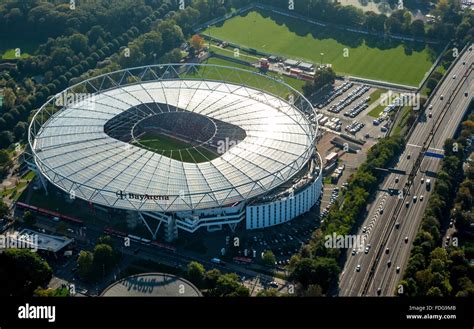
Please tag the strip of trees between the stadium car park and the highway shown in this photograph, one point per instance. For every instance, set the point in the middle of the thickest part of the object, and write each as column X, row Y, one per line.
column 316, row 266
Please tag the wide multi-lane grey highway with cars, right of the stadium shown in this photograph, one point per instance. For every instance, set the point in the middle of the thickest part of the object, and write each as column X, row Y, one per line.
column 397, row 224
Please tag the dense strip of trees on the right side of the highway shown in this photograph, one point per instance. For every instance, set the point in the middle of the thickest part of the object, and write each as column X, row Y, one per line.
column 433, row 270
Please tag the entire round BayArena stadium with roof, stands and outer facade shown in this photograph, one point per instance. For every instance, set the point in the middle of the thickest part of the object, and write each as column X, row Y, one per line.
column 188, row 146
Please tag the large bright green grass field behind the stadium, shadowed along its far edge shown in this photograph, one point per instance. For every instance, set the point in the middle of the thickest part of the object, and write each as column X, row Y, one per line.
column 367, row 56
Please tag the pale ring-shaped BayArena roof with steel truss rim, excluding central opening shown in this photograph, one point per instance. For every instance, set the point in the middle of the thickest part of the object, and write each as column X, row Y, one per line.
column 71, row 150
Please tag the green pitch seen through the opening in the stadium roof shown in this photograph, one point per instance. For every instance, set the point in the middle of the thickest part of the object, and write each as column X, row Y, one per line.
column 176, row 149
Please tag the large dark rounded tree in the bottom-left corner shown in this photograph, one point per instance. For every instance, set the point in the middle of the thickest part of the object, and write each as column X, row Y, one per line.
column 22, row 271
